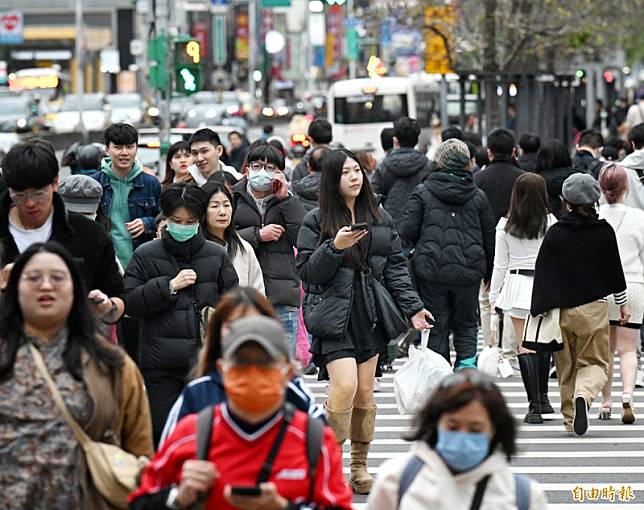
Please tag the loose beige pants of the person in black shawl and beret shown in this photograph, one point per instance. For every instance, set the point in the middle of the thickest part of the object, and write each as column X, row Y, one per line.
column 582, row 365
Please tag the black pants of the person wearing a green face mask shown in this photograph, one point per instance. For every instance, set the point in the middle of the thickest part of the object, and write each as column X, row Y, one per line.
column 163, row 388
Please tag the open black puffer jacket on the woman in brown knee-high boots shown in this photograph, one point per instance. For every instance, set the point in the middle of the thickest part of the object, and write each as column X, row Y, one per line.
column 328, row 282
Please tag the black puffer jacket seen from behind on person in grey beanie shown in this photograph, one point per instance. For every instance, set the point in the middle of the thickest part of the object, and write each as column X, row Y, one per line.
column 451, row 223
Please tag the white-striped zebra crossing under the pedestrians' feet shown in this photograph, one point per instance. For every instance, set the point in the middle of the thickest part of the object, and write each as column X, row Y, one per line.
column 605, row 467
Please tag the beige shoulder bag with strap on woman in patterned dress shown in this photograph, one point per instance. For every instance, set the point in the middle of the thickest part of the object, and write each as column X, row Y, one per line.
column 114, row 471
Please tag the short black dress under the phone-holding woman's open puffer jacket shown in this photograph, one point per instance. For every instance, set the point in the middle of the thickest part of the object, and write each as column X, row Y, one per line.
column 362, row 340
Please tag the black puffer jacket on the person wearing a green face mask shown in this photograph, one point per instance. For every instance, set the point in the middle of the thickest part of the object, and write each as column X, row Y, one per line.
column 170, row 329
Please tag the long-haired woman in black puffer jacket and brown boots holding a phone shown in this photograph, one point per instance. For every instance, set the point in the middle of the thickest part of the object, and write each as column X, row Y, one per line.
column 338, row 265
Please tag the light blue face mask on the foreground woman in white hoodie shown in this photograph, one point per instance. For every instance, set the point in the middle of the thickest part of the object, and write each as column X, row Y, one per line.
column 462, row 451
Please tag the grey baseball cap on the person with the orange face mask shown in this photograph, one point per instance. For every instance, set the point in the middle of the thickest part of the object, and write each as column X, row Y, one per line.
column 265, row 331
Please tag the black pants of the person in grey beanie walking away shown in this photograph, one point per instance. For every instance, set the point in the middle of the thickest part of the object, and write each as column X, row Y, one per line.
column 455, row 309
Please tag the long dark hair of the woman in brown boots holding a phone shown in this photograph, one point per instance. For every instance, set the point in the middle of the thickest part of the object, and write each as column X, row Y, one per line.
column 334, row 212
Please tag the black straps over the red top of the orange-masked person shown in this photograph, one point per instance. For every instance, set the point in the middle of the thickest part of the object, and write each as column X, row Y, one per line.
column 313, row 439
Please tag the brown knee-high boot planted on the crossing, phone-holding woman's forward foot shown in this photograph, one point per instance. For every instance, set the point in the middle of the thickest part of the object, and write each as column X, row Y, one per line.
column 363, row 424
